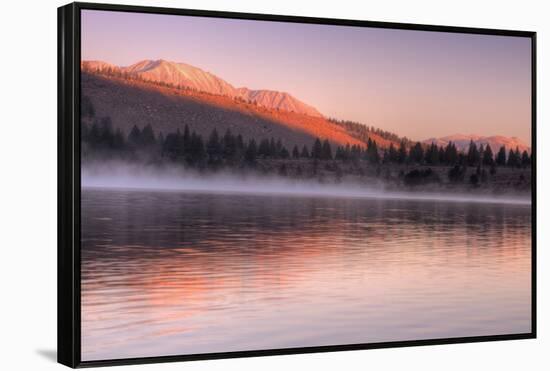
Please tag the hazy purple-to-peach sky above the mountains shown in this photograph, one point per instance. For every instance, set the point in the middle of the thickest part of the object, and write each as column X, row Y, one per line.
column 416, row 83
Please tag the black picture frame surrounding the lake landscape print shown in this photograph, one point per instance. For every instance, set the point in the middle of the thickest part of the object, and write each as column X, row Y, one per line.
column 69, row 184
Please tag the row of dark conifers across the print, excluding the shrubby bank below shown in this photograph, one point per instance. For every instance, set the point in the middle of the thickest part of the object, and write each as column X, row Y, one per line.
column 230, row 148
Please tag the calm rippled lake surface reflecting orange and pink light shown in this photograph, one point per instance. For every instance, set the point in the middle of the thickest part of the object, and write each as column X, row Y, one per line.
column 167, row 273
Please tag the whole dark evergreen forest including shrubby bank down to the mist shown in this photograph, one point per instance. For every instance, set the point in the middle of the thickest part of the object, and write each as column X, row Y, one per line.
column 410, row 164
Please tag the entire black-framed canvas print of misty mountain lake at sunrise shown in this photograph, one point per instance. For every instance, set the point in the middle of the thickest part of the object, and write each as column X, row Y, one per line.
column 246, row 184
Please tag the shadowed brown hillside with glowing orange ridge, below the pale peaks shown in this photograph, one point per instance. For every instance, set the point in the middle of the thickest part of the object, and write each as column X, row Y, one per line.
column 130, row 102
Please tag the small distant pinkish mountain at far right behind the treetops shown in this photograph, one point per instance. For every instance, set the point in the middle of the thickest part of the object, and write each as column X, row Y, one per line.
column 496, row 141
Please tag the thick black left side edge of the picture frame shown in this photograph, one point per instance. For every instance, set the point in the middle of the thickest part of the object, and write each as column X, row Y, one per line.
column 68, row 344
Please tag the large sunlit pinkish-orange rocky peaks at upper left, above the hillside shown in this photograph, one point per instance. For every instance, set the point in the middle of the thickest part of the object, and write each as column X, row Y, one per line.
column 183, row 75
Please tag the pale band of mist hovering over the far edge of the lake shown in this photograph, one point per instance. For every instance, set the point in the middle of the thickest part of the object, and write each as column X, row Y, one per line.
column 117, row 175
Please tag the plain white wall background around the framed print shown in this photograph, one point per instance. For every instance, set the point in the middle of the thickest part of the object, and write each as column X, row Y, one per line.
column 28, row 184
